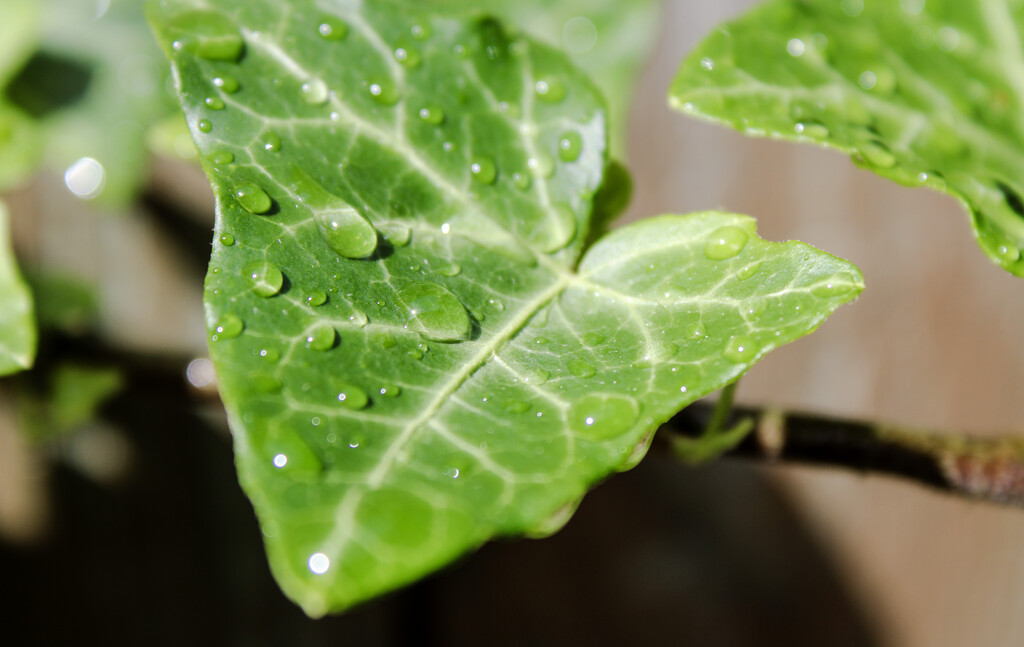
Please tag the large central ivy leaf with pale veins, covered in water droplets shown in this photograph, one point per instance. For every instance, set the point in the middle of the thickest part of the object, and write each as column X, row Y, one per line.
column 411, row 361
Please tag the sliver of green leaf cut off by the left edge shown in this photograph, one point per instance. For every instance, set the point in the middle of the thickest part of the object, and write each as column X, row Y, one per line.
column 18, row 330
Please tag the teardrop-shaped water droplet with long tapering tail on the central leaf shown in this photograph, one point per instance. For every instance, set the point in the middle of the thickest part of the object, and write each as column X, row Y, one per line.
column 345, row 230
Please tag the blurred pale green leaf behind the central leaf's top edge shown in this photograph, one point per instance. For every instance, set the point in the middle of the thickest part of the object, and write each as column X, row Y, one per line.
column 609, row 39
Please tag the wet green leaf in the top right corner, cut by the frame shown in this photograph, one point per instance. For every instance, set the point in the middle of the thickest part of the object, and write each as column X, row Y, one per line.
column 926, row 94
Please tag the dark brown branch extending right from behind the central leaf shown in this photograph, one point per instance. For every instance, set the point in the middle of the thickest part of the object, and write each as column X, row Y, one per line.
column 989, row 469
